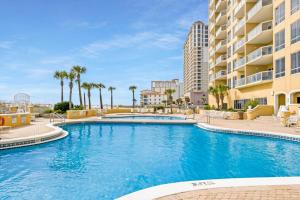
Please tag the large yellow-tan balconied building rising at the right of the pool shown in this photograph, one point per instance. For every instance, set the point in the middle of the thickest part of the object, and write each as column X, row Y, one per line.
column 255, row 51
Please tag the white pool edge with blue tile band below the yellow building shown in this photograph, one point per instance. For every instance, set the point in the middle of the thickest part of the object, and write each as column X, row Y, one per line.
column 267, row 134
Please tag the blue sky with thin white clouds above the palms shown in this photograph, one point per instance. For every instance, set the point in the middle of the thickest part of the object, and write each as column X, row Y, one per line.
column 121, row 42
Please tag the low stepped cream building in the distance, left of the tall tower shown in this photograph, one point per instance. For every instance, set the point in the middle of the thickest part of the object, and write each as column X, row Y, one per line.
column 156, row 96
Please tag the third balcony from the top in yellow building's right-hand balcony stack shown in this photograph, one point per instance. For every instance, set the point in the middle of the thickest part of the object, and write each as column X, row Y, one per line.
column 261, row 56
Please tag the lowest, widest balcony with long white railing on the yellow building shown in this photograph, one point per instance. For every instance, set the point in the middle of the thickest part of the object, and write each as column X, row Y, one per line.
column 256, row 79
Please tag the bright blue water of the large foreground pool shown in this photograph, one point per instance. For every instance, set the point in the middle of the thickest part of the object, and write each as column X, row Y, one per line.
column 105, row 161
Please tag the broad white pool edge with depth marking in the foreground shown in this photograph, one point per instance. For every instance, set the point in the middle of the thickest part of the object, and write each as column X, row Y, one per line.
column 180, row 187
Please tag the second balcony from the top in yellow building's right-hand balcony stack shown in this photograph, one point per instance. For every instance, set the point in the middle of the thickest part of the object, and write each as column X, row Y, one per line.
column 261, row 34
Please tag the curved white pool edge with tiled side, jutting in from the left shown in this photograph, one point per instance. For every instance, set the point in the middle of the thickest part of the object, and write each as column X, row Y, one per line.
column 56, row 134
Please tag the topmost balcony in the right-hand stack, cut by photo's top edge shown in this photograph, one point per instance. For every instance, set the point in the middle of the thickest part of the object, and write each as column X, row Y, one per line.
column 261, row 11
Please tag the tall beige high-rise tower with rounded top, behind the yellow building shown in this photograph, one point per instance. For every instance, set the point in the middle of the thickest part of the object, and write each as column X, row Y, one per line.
column 196, row 63
